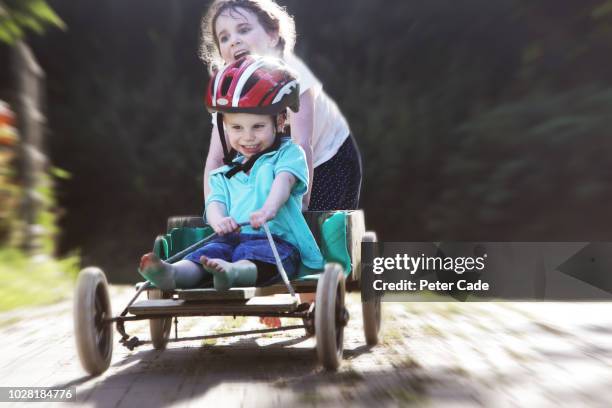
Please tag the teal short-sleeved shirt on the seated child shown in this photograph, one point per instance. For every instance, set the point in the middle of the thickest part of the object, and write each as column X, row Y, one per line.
column 245, row 193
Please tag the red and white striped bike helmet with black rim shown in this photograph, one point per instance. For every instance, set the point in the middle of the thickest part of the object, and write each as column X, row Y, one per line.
column 259, row 85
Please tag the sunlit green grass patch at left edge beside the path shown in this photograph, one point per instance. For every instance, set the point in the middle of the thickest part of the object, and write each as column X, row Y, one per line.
column 29, row 282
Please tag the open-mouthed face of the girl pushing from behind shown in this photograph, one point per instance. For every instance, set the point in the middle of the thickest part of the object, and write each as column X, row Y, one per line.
column 239, row 33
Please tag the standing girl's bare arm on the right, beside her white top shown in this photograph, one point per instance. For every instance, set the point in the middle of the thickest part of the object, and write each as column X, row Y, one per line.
column 302, row 129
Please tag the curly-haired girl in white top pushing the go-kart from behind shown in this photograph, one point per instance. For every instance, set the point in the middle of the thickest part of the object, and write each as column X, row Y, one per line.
column 235, row 28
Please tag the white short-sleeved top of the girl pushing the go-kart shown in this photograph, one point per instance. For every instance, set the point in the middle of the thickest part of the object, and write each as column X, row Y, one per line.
column 330, row 129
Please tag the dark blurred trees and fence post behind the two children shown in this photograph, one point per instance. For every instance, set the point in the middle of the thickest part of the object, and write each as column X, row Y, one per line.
column 477, row 120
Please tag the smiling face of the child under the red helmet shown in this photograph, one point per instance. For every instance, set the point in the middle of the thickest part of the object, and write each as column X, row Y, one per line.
column 249, row 134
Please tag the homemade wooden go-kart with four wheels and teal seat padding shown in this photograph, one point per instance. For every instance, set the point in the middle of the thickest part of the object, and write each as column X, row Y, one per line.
column 339, row 235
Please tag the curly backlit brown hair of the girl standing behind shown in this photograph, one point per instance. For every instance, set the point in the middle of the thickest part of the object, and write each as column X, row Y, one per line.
column 272, row 17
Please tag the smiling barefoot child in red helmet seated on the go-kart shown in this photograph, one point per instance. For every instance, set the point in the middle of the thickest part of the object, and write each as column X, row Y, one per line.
column 263, row 180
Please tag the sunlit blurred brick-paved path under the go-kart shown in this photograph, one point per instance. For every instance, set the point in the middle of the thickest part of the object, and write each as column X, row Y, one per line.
column 433, row 354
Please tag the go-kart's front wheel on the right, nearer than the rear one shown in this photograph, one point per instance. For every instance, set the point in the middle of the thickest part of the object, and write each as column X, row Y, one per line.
column 330, row 316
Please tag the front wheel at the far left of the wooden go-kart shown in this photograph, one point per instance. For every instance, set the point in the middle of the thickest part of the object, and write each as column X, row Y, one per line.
column 94, row 338
